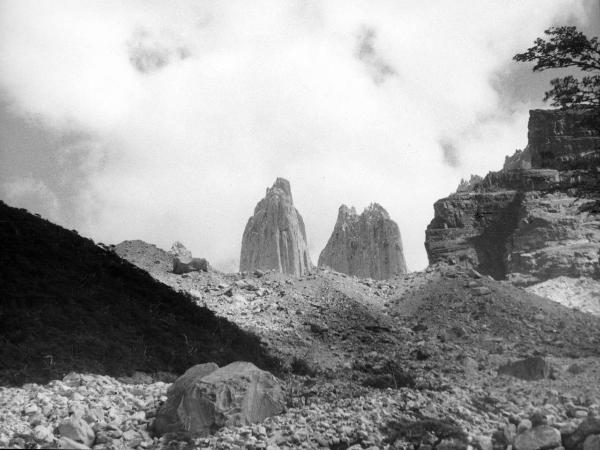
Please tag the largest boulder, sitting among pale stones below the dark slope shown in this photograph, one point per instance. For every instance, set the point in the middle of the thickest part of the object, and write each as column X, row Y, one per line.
column 207, row 399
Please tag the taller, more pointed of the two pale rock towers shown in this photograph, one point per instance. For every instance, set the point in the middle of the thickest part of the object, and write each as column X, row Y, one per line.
column 275, row 237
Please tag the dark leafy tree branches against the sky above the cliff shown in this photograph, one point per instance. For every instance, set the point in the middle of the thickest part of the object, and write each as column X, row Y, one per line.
column 567, row 47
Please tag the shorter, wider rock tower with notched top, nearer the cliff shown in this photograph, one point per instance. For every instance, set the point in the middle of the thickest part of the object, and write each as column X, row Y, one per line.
column 366, row 245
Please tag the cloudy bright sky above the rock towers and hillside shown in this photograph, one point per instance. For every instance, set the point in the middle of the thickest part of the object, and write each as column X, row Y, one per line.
column 166, row 120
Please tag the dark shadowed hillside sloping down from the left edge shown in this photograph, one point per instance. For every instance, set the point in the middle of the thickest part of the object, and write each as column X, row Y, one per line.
column 69, row 305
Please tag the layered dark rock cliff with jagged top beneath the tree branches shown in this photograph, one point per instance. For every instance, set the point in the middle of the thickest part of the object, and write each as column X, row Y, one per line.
column 536, row 219
